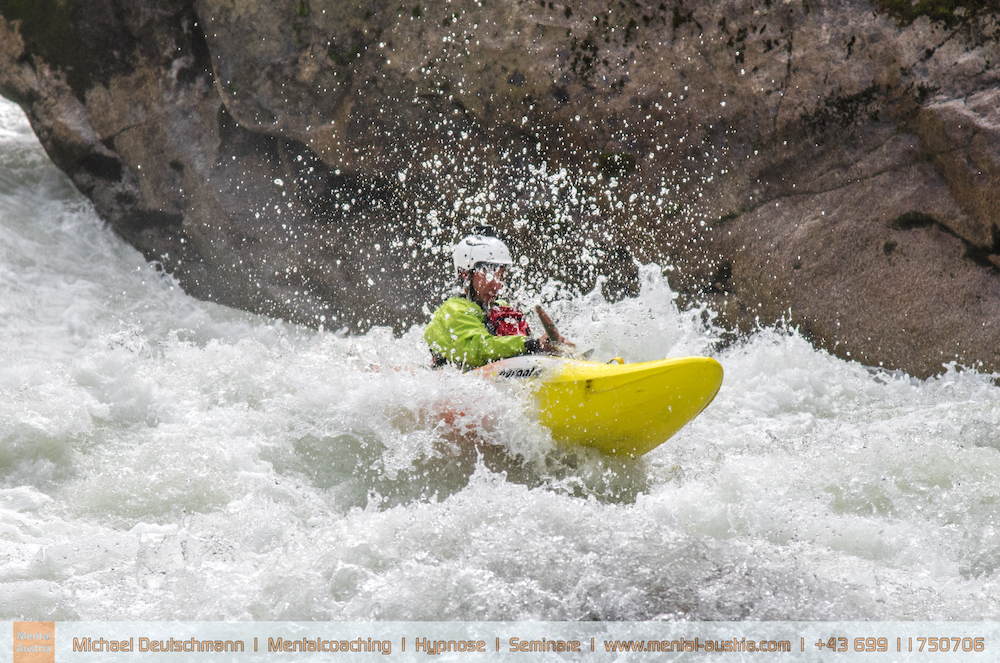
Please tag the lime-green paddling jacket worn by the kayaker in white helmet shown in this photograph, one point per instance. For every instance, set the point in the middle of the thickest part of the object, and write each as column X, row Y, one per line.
column 457, row 332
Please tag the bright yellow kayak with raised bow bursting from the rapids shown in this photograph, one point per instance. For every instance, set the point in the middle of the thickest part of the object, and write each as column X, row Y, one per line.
column 621, row 409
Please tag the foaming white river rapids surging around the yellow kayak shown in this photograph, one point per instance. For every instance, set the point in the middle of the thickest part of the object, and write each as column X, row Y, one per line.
column 163, row 458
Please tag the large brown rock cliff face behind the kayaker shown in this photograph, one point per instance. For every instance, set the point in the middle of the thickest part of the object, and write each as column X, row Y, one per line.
column 832, row 164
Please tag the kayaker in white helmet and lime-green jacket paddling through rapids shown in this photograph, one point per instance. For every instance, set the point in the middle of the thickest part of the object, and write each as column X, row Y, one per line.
column 474, row 329
